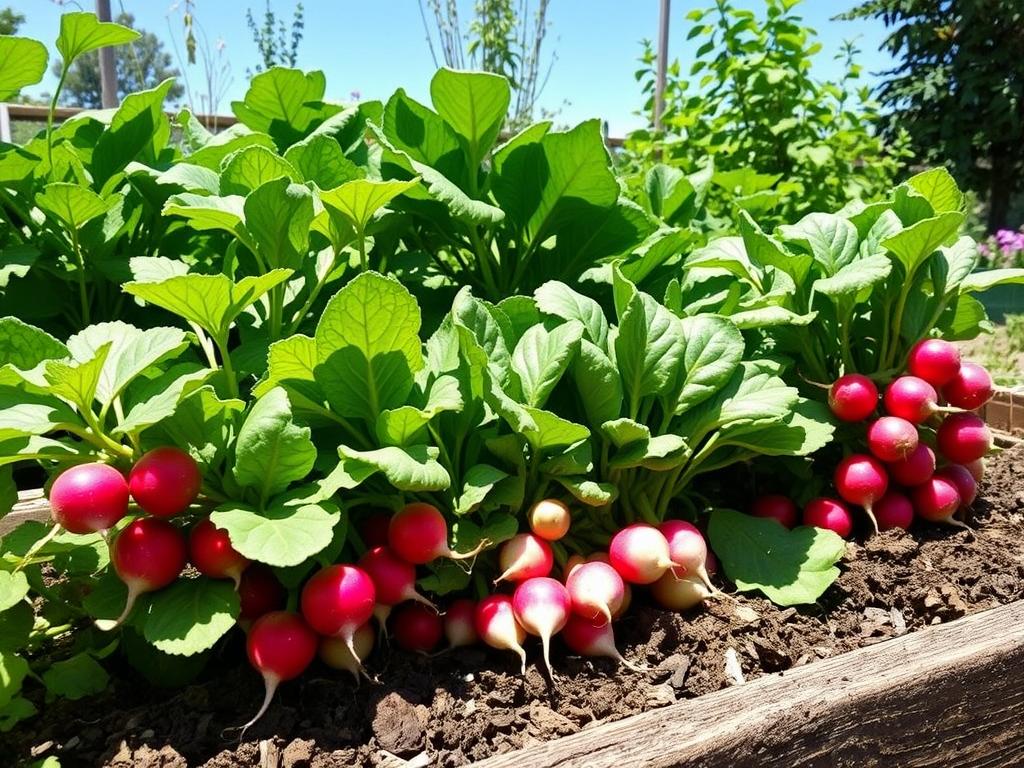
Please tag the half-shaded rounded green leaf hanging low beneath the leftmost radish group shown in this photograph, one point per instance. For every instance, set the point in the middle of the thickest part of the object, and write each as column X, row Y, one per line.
column 191, row 616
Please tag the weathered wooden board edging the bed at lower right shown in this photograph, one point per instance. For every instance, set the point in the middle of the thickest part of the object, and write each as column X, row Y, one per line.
column 948, row 696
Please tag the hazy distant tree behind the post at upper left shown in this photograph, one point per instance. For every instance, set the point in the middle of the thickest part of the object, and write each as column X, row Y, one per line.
column 142, row 65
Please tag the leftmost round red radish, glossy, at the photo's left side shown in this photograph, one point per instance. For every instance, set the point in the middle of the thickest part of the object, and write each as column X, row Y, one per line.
column 89, row 498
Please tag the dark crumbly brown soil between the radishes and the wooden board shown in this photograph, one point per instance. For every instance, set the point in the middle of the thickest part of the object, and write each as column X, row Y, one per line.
column 473, row 704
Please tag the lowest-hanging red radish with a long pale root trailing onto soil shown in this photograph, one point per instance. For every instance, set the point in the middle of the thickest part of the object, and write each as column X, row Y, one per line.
column 281, row 647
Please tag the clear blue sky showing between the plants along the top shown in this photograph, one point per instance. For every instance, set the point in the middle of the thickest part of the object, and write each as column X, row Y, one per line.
column 374, row 48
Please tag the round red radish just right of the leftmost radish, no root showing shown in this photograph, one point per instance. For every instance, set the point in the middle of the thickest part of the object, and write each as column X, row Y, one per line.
column 165, row 482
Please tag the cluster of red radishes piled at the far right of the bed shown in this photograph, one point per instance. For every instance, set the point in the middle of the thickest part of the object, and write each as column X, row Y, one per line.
column 900, row 476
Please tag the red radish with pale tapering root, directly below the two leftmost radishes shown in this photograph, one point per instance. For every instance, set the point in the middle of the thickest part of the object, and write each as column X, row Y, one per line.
column 147, row 556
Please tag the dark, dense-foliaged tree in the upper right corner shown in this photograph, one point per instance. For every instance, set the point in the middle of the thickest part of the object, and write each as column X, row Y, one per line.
column 959, row 90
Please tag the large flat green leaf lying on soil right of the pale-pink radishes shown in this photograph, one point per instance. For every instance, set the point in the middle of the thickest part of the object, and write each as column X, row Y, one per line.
column 792, row 568
